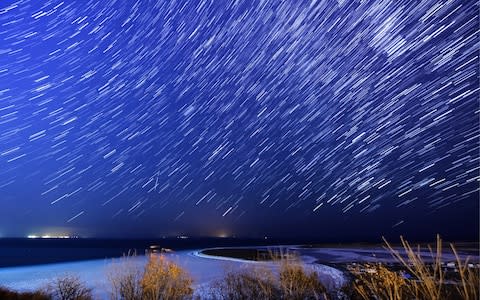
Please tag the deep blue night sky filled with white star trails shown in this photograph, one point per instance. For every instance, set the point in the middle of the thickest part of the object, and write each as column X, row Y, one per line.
column 333, row 119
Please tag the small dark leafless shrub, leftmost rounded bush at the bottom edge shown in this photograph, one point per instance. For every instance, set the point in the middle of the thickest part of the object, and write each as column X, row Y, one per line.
column 68, row 287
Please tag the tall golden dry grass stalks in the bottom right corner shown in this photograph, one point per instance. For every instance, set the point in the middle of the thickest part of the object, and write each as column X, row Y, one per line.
column 428, row 280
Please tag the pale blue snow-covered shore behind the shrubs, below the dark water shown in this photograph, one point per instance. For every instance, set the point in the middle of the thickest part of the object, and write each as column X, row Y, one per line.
column 203, row 268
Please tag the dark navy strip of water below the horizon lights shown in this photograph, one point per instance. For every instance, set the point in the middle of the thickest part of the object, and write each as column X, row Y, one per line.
column 18, row 252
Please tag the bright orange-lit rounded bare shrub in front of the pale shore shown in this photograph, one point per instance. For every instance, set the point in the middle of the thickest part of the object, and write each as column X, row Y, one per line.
column 164, row 279
